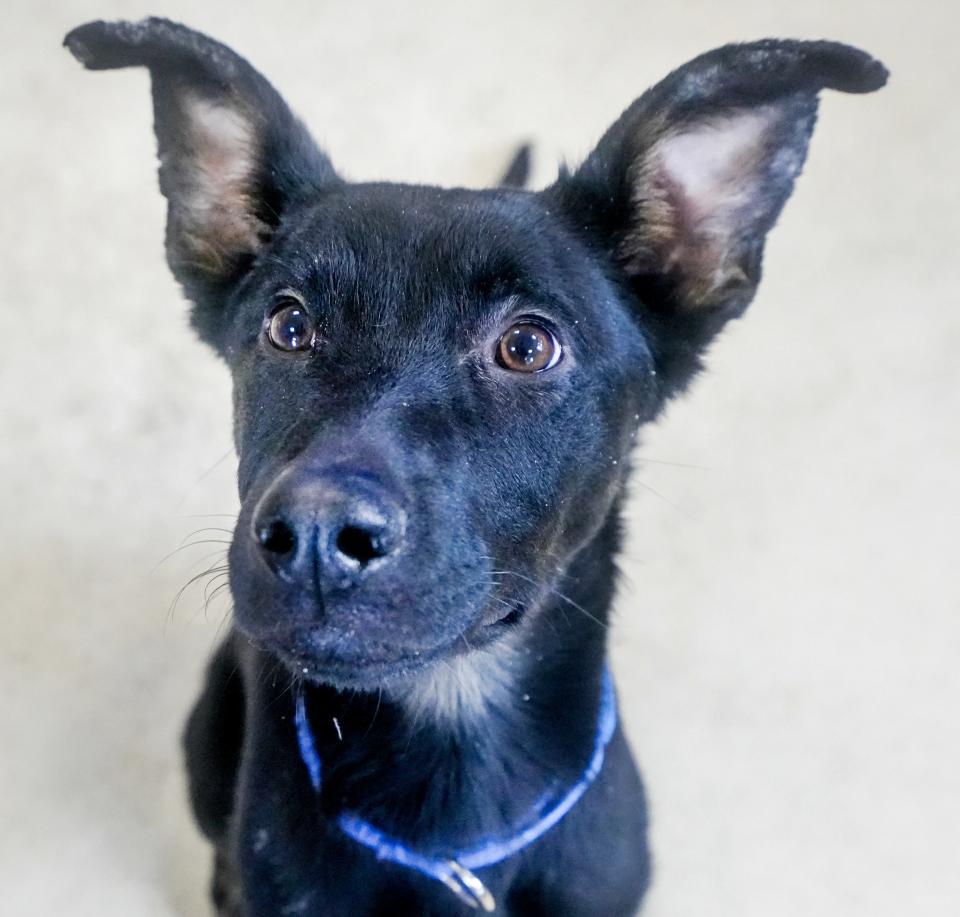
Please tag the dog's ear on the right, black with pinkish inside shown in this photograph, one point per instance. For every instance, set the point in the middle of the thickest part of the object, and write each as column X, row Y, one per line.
column 683, row 188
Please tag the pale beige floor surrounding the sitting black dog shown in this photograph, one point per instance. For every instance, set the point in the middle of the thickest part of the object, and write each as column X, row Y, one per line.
column 790, row 621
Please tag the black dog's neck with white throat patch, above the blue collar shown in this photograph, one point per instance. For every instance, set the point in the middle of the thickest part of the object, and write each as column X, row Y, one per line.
column 485, row 736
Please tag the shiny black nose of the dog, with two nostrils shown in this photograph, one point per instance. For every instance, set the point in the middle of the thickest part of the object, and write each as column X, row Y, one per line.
column 334, row 530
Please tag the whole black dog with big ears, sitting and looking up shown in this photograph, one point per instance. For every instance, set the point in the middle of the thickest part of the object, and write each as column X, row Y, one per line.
column 436, row 395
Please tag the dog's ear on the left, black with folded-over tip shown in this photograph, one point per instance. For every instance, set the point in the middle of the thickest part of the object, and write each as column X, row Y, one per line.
column 232, row 155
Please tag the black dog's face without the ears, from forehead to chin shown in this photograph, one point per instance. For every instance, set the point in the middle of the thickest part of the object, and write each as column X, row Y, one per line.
column 432, row 387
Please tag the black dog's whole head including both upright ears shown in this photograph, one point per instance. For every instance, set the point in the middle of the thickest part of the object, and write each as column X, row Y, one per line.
column 436, row 391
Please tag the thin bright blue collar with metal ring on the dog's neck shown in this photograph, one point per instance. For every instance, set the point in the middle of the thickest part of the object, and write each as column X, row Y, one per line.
column 456, row 870
